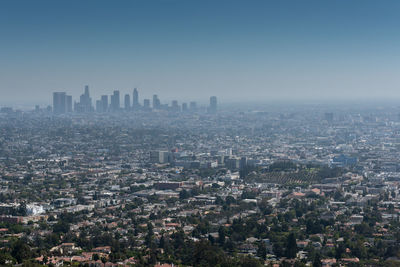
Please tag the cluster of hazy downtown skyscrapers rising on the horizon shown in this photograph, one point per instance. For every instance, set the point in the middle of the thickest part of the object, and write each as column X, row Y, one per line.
column 62, row 103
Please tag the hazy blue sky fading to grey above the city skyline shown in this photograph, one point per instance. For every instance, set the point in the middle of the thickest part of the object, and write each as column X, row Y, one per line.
column 237, row 50
